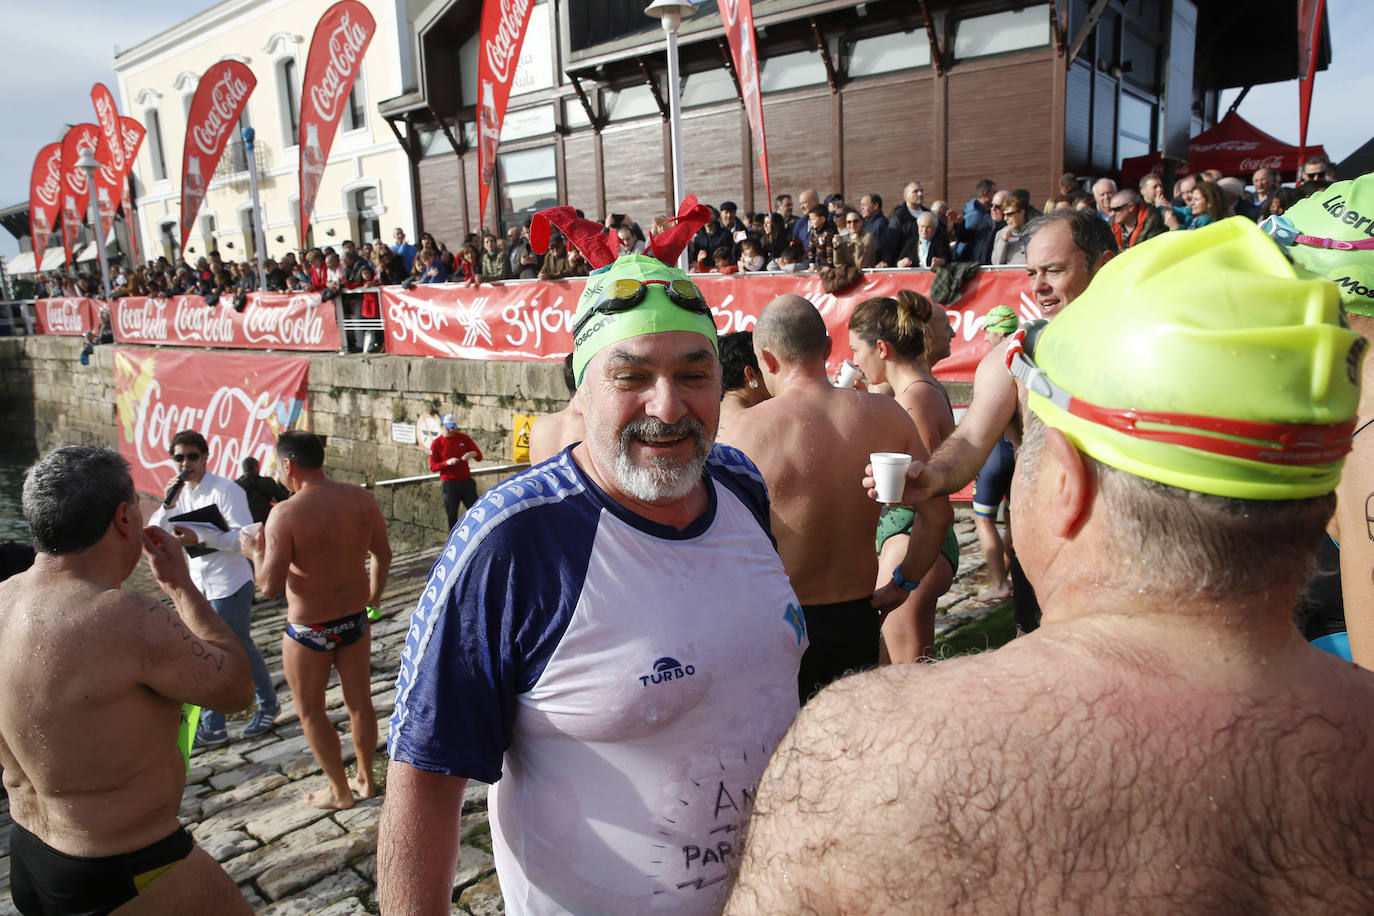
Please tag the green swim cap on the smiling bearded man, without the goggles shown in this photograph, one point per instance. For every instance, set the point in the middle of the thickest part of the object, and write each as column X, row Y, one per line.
column 656, row 315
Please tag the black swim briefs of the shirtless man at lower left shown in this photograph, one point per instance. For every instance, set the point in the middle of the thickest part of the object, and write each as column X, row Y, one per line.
column 46, row 881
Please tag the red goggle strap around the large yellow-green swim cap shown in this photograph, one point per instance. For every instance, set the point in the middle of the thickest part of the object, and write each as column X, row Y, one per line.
column 1251, row 440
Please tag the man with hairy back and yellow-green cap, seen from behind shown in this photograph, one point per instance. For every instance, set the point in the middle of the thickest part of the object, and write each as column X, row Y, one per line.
column 1166, row 742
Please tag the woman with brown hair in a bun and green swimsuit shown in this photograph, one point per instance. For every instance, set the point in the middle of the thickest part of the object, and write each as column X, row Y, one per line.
column 898, row 341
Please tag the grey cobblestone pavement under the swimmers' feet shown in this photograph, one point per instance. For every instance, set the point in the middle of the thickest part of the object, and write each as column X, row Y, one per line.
column 243, row 801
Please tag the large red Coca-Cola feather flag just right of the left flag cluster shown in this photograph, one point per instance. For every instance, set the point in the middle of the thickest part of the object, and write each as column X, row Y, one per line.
column 214, row 116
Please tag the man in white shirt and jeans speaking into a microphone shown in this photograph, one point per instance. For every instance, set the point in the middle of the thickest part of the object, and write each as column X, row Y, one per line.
column 218, row 568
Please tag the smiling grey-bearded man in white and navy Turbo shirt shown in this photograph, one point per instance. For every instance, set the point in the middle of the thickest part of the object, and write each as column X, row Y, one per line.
column 611, row 635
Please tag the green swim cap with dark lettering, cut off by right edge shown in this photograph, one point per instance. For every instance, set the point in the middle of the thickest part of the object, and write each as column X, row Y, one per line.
column 1342, row 214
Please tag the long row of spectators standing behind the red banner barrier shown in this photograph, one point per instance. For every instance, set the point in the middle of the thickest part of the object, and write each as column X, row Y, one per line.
column 829, row 237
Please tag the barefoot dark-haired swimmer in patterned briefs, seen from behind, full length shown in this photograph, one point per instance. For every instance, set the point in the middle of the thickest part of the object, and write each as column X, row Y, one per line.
column 314, row 547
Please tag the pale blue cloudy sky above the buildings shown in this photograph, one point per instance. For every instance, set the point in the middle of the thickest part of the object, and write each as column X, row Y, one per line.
column 56, row 50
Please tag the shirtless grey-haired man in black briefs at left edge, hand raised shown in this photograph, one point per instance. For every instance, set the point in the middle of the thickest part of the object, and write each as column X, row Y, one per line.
column 95, row 678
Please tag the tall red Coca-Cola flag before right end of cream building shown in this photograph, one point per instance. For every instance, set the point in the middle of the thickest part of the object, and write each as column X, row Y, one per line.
column 341, row 38
